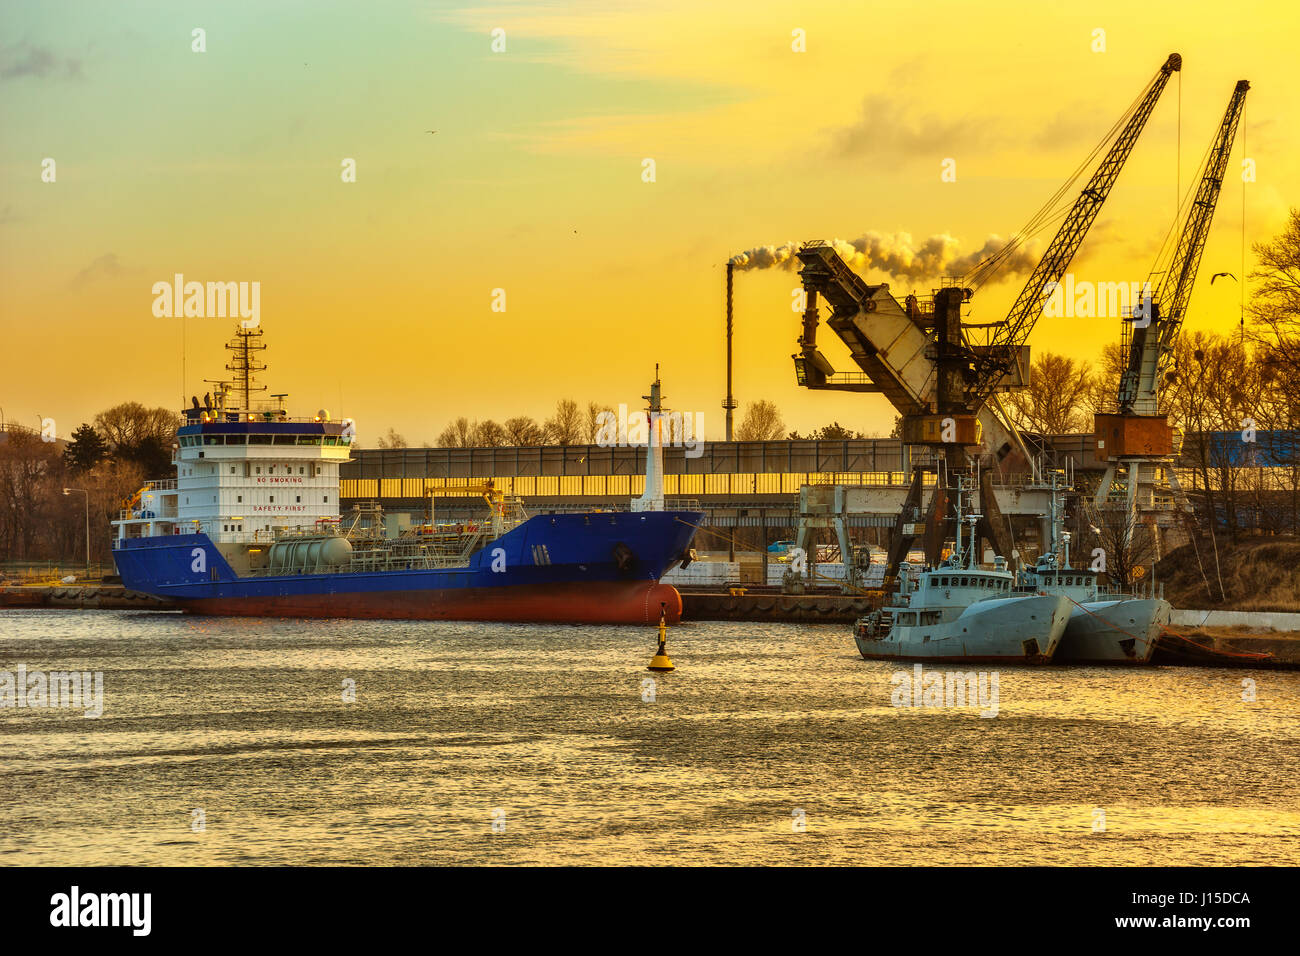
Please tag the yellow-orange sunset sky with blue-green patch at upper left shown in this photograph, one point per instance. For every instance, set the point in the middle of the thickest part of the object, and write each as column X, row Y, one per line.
column 376, row 296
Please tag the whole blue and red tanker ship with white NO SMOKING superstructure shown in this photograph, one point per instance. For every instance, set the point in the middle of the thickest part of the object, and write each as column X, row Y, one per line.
column 252, row 526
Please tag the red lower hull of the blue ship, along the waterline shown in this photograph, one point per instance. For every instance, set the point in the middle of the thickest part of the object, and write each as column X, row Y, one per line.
column 623, row 603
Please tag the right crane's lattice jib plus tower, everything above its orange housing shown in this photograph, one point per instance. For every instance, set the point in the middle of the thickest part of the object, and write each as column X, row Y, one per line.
column 1156, row 325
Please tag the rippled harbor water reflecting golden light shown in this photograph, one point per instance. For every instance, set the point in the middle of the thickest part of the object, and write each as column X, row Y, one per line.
column 245, row 742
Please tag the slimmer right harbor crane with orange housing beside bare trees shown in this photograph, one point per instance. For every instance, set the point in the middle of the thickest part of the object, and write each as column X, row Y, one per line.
column 1137, row 442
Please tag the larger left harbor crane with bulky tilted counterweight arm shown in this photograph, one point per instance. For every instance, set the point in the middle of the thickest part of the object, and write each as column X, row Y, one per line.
column 931, row 367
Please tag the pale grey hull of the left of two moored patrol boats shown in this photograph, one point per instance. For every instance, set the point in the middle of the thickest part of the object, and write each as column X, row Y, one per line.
column 1021, row 630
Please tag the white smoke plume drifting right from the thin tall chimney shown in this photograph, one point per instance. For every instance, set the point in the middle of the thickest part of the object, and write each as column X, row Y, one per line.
column 900, row 257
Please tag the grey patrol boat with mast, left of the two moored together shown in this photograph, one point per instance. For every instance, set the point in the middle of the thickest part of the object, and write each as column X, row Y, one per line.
column 960, row 612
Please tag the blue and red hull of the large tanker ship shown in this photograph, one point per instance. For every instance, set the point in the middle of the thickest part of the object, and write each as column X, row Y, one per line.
column 564, row 569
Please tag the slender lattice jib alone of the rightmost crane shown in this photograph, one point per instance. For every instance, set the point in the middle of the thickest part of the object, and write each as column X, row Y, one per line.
column 1176, row 289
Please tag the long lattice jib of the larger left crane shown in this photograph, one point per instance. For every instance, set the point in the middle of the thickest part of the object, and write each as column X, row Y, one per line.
column 1029, row 306
